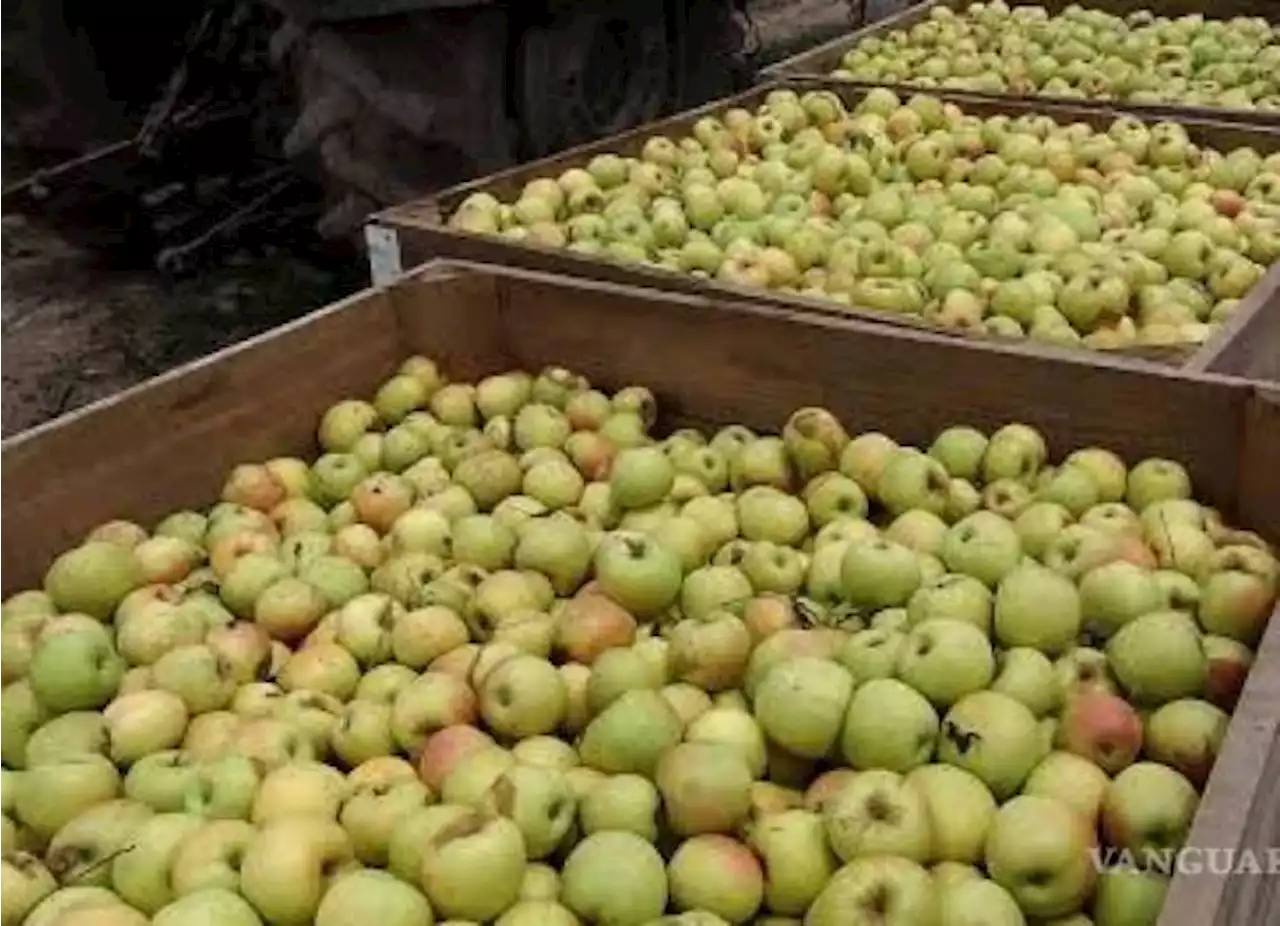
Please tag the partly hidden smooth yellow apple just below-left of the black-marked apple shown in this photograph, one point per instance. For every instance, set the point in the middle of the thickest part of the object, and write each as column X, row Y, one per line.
column 961, row 810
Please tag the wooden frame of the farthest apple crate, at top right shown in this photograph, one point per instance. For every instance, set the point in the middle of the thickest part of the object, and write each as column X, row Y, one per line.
column 826, row 58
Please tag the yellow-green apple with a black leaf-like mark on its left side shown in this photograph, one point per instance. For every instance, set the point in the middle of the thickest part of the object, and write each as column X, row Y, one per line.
column 994, row 737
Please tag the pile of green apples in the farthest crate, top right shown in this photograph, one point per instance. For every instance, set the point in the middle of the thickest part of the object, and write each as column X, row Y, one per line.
column 1084, row 53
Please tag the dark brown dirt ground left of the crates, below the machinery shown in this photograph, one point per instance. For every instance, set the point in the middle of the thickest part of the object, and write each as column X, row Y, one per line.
column 74, row 331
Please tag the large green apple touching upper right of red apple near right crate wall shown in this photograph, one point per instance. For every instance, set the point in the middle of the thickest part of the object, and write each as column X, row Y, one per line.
column 1159, row 658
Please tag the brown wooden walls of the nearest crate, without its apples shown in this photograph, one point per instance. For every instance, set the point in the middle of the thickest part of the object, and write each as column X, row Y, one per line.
column 168, row 444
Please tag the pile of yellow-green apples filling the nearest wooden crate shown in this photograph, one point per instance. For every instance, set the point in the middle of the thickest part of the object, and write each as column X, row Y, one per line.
column 500, row 655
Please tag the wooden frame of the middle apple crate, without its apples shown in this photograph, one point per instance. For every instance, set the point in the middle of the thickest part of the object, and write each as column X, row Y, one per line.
column 409, row 235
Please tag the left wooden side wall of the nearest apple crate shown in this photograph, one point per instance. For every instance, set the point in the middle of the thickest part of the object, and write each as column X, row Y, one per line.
column 170, row 444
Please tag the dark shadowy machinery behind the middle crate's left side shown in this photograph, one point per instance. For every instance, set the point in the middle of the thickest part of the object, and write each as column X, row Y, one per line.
column 408, row 102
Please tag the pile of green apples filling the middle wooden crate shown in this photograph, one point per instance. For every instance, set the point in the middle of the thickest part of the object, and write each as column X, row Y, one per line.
column 1017, row 227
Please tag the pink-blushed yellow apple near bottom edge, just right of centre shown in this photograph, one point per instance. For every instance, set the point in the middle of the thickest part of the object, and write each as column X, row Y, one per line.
column 717, row 875
